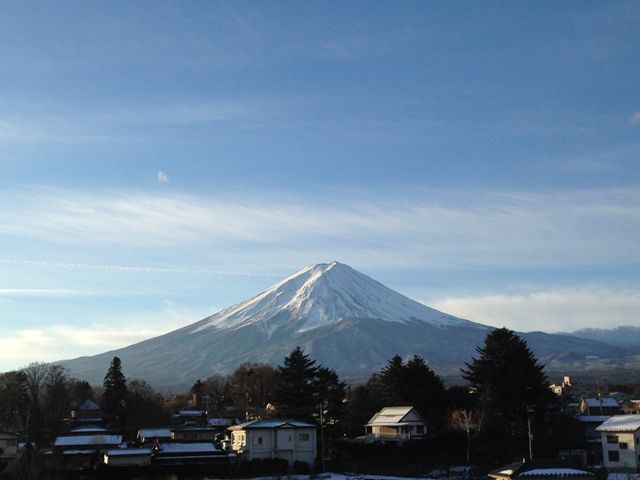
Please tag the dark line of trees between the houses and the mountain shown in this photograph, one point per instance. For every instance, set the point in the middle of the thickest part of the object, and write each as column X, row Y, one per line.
column 486, row 418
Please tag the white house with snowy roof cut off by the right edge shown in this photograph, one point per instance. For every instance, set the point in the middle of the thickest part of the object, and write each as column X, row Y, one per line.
column 621, row 443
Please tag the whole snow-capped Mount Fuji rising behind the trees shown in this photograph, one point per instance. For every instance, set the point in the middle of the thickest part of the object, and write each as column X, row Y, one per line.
column 342, row 318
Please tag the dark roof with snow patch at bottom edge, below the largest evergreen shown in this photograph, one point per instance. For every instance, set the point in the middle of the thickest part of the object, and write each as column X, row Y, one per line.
column 540, row 469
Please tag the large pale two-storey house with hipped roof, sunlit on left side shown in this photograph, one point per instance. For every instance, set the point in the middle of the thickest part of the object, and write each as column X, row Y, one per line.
column 285, row 439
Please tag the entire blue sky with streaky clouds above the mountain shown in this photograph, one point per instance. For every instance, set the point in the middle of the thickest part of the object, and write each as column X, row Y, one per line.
column 162, row 160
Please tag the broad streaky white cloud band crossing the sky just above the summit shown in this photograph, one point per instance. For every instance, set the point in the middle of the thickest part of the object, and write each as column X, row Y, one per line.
column 445, row 229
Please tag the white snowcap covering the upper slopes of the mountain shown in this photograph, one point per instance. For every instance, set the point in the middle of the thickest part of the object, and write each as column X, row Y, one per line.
column 322, row 295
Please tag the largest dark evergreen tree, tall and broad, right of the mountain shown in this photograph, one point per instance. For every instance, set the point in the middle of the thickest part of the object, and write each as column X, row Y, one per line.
column 511, row 385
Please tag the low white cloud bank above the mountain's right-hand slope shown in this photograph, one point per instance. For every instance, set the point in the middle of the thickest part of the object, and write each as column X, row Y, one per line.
column 549, row 310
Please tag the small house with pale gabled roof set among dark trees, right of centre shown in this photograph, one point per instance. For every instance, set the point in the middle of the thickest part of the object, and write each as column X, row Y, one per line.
column 396, row 424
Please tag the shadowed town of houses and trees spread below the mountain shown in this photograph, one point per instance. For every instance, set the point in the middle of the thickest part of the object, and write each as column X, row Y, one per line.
column 506, row 421
